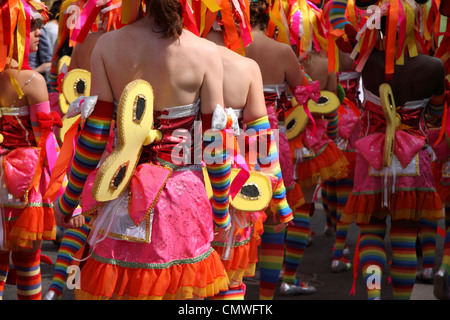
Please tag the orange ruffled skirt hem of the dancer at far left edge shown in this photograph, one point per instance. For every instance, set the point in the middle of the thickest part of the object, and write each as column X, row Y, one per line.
column 33, row 223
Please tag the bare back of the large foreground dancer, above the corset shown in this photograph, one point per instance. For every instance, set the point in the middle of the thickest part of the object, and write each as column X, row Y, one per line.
column 176, row 69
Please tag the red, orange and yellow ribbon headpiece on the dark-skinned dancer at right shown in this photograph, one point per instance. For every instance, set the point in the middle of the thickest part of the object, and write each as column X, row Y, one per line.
column 399, row 37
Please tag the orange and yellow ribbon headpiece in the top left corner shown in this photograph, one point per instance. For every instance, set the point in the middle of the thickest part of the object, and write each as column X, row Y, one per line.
column 15, row 28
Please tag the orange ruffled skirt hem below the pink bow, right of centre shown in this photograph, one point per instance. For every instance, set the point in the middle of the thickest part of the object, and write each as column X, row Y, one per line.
column 330, row 163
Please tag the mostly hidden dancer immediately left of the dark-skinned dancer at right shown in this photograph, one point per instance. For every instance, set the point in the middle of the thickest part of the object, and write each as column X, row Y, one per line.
column 334, row 192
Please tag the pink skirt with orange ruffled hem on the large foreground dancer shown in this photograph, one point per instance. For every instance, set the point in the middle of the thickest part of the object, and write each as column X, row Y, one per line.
column 173, row 260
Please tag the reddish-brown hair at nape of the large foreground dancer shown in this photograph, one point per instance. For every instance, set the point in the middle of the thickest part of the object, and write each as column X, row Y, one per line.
column 168, row 16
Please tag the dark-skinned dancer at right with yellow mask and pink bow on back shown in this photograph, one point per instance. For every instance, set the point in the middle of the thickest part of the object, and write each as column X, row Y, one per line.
column 392, row 172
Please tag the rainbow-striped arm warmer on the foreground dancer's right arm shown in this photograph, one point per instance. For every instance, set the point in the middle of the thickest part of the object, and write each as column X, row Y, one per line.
column 218, row 166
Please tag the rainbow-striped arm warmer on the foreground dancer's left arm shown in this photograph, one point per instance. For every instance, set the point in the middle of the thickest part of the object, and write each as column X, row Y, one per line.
column 90, row 146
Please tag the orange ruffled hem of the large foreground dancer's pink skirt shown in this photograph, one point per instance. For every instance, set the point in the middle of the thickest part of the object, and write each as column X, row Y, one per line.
column 200, row 279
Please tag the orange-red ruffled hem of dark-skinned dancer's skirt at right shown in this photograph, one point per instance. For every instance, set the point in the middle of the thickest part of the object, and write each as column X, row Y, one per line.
column 409, row 205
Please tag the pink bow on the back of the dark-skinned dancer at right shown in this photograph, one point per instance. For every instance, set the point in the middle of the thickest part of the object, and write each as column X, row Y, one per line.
column 405, row 147
